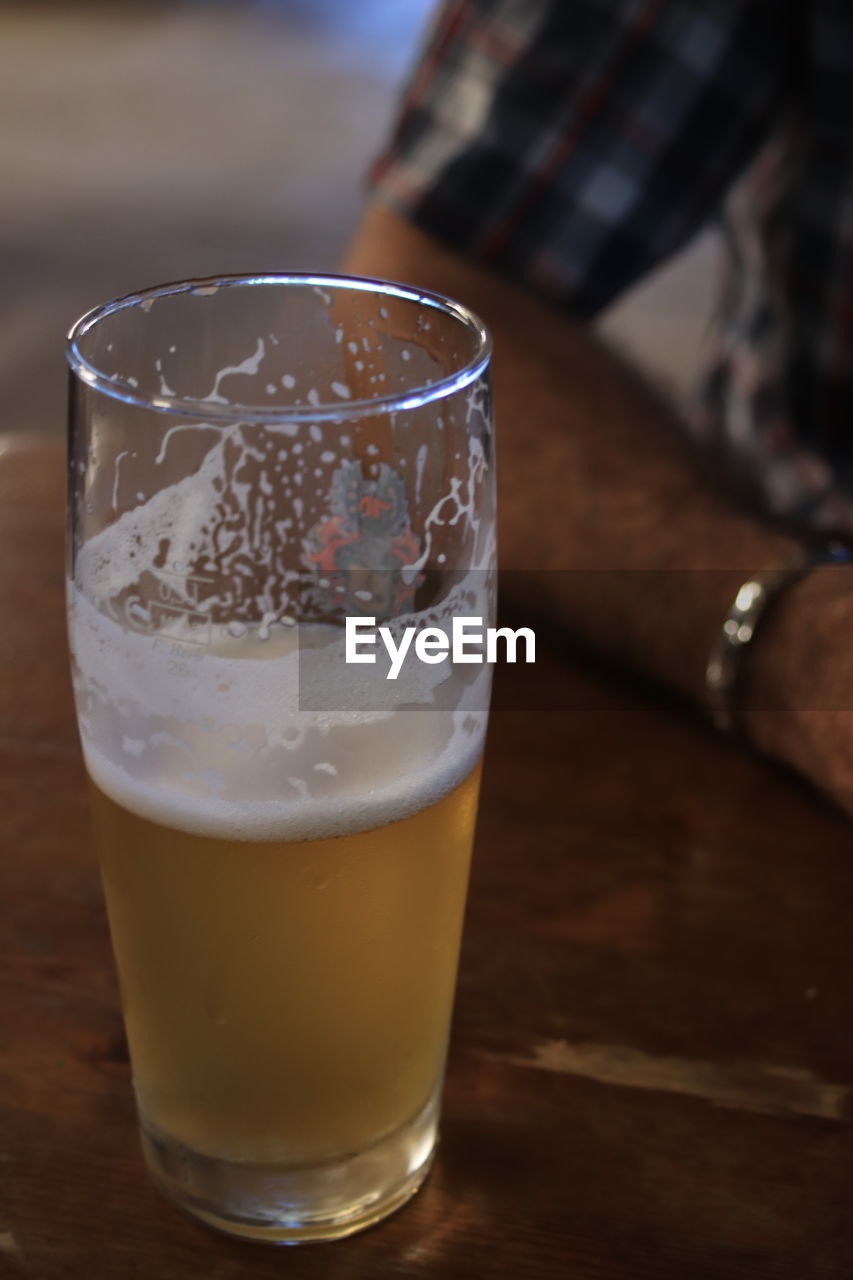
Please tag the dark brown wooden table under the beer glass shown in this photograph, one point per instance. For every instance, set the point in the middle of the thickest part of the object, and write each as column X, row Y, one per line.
column 651, row 1073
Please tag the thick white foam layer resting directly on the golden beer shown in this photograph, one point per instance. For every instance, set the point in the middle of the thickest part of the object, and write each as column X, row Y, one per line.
column 216, row 744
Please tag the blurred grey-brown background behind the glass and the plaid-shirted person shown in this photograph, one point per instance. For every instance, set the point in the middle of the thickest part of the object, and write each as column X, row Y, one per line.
column 144, row 143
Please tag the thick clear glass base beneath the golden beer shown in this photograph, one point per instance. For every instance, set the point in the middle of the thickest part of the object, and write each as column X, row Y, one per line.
column 288, row 1205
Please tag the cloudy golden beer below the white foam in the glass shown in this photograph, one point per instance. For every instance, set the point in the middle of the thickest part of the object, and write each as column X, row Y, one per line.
column 286, row 1004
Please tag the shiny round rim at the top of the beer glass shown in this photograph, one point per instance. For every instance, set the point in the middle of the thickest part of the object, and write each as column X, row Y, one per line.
column 414, row 397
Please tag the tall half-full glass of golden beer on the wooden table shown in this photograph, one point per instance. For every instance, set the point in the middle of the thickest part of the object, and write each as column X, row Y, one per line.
column 285, row 834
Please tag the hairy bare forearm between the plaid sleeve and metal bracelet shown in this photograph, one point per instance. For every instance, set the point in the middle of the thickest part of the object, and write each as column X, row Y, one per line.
column 596, row 482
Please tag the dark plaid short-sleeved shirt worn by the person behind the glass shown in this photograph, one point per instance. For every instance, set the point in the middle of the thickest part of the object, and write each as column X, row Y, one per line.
column 577, row 144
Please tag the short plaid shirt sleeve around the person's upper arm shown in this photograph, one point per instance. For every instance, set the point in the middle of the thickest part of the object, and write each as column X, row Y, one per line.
column 576, row 144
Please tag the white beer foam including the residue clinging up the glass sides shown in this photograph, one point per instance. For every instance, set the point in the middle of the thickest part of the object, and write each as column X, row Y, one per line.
column 190, row 710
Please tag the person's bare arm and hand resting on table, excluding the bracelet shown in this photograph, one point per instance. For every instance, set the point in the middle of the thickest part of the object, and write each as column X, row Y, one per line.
column 596, row 479
